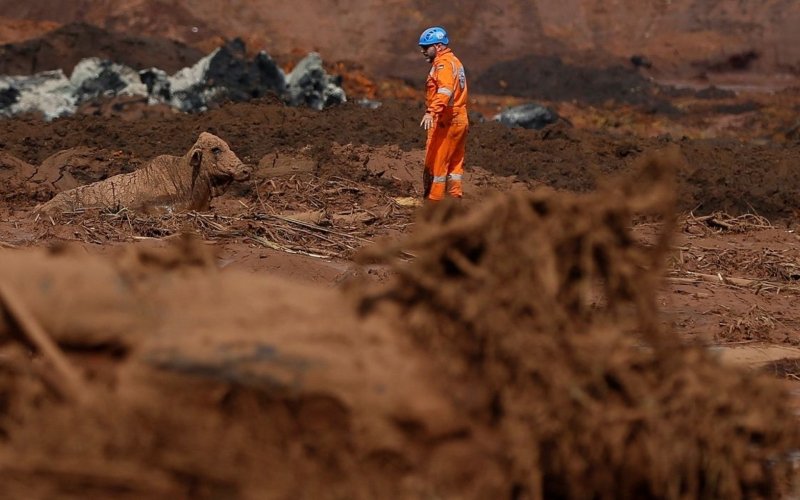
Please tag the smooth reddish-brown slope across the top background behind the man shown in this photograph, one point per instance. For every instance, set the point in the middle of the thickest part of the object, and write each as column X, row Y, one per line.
column 682, row 37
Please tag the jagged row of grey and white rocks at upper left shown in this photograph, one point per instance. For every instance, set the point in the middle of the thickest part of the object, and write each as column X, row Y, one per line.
column 223, row 75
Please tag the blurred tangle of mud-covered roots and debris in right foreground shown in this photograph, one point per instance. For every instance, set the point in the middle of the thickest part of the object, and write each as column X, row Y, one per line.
column 545, row 307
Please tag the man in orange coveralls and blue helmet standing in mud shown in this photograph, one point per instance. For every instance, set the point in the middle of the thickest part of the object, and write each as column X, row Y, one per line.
column 445, row 117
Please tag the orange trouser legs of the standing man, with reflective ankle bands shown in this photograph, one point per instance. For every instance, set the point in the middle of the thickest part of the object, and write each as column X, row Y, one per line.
column 444, row 158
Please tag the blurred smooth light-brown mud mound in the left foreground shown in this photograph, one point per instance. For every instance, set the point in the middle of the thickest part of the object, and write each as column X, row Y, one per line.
column 195, row 406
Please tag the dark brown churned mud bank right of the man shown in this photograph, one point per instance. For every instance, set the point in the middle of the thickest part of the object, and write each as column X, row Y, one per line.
column 724, row 175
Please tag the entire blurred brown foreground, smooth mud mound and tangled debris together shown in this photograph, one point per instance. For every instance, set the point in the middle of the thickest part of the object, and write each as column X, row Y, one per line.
column 468, row 375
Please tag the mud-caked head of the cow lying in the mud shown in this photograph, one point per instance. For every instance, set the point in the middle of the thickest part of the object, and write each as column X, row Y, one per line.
column 212, row 158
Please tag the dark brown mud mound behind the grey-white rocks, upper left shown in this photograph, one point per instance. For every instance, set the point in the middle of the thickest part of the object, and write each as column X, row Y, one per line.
column 64, row 47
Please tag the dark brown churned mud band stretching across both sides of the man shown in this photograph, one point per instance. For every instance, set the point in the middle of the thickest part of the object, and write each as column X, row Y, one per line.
column 718, row 175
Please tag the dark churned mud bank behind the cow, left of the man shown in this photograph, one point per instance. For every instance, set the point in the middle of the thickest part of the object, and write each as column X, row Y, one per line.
column 252, row 129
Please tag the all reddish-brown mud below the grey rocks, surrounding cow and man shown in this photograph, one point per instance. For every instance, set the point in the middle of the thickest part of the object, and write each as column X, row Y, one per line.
column 551, row 335
